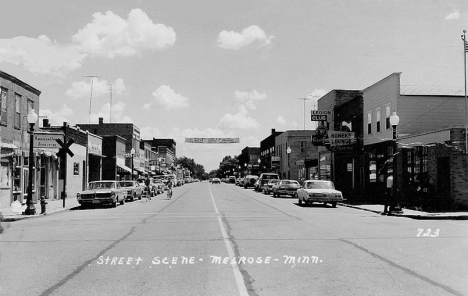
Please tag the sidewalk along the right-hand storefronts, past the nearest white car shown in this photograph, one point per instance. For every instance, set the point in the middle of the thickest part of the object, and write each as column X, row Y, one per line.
column 411, row 213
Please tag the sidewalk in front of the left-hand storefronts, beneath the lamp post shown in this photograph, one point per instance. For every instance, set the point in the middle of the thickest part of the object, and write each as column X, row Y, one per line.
column 53, row 206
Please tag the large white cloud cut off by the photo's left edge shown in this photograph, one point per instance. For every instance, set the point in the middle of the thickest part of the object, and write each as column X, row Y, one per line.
column 41, row 55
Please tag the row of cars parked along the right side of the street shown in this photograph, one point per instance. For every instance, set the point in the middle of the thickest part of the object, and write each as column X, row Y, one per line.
column 308, row 192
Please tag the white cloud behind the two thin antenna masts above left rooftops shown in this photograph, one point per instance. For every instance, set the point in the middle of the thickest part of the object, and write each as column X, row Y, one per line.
column 82, row 89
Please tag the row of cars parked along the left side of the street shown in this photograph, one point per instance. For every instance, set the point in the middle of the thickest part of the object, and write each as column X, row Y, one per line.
column 110, row 192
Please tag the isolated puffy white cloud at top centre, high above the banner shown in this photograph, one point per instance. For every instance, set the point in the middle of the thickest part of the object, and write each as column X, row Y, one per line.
column 248, row 36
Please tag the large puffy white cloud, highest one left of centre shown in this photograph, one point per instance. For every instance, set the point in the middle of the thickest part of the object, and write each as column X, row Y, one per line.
column 109, row 35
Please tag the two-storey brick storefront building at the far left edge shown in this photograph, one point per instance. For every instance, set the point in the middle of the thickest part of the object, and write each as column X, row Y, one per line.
column 17, row 98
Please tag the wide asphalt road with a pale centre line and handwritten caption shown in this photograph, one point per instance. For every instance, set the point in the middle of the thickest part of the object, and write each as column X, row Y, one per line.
column 226, row 240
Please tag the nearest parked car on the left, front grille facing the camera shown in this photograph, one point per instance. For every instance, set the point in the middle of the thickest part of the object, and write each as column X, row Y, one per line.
column 102, row 192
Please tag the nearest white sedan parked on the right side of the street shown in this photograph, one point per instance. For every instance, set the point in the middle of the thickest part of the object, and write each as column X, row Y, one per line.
column 319, row 191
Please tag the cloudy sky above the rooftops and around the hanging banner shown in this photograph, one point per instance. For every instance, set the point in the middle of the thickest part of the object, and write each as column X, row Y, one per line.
column 216, row 68
